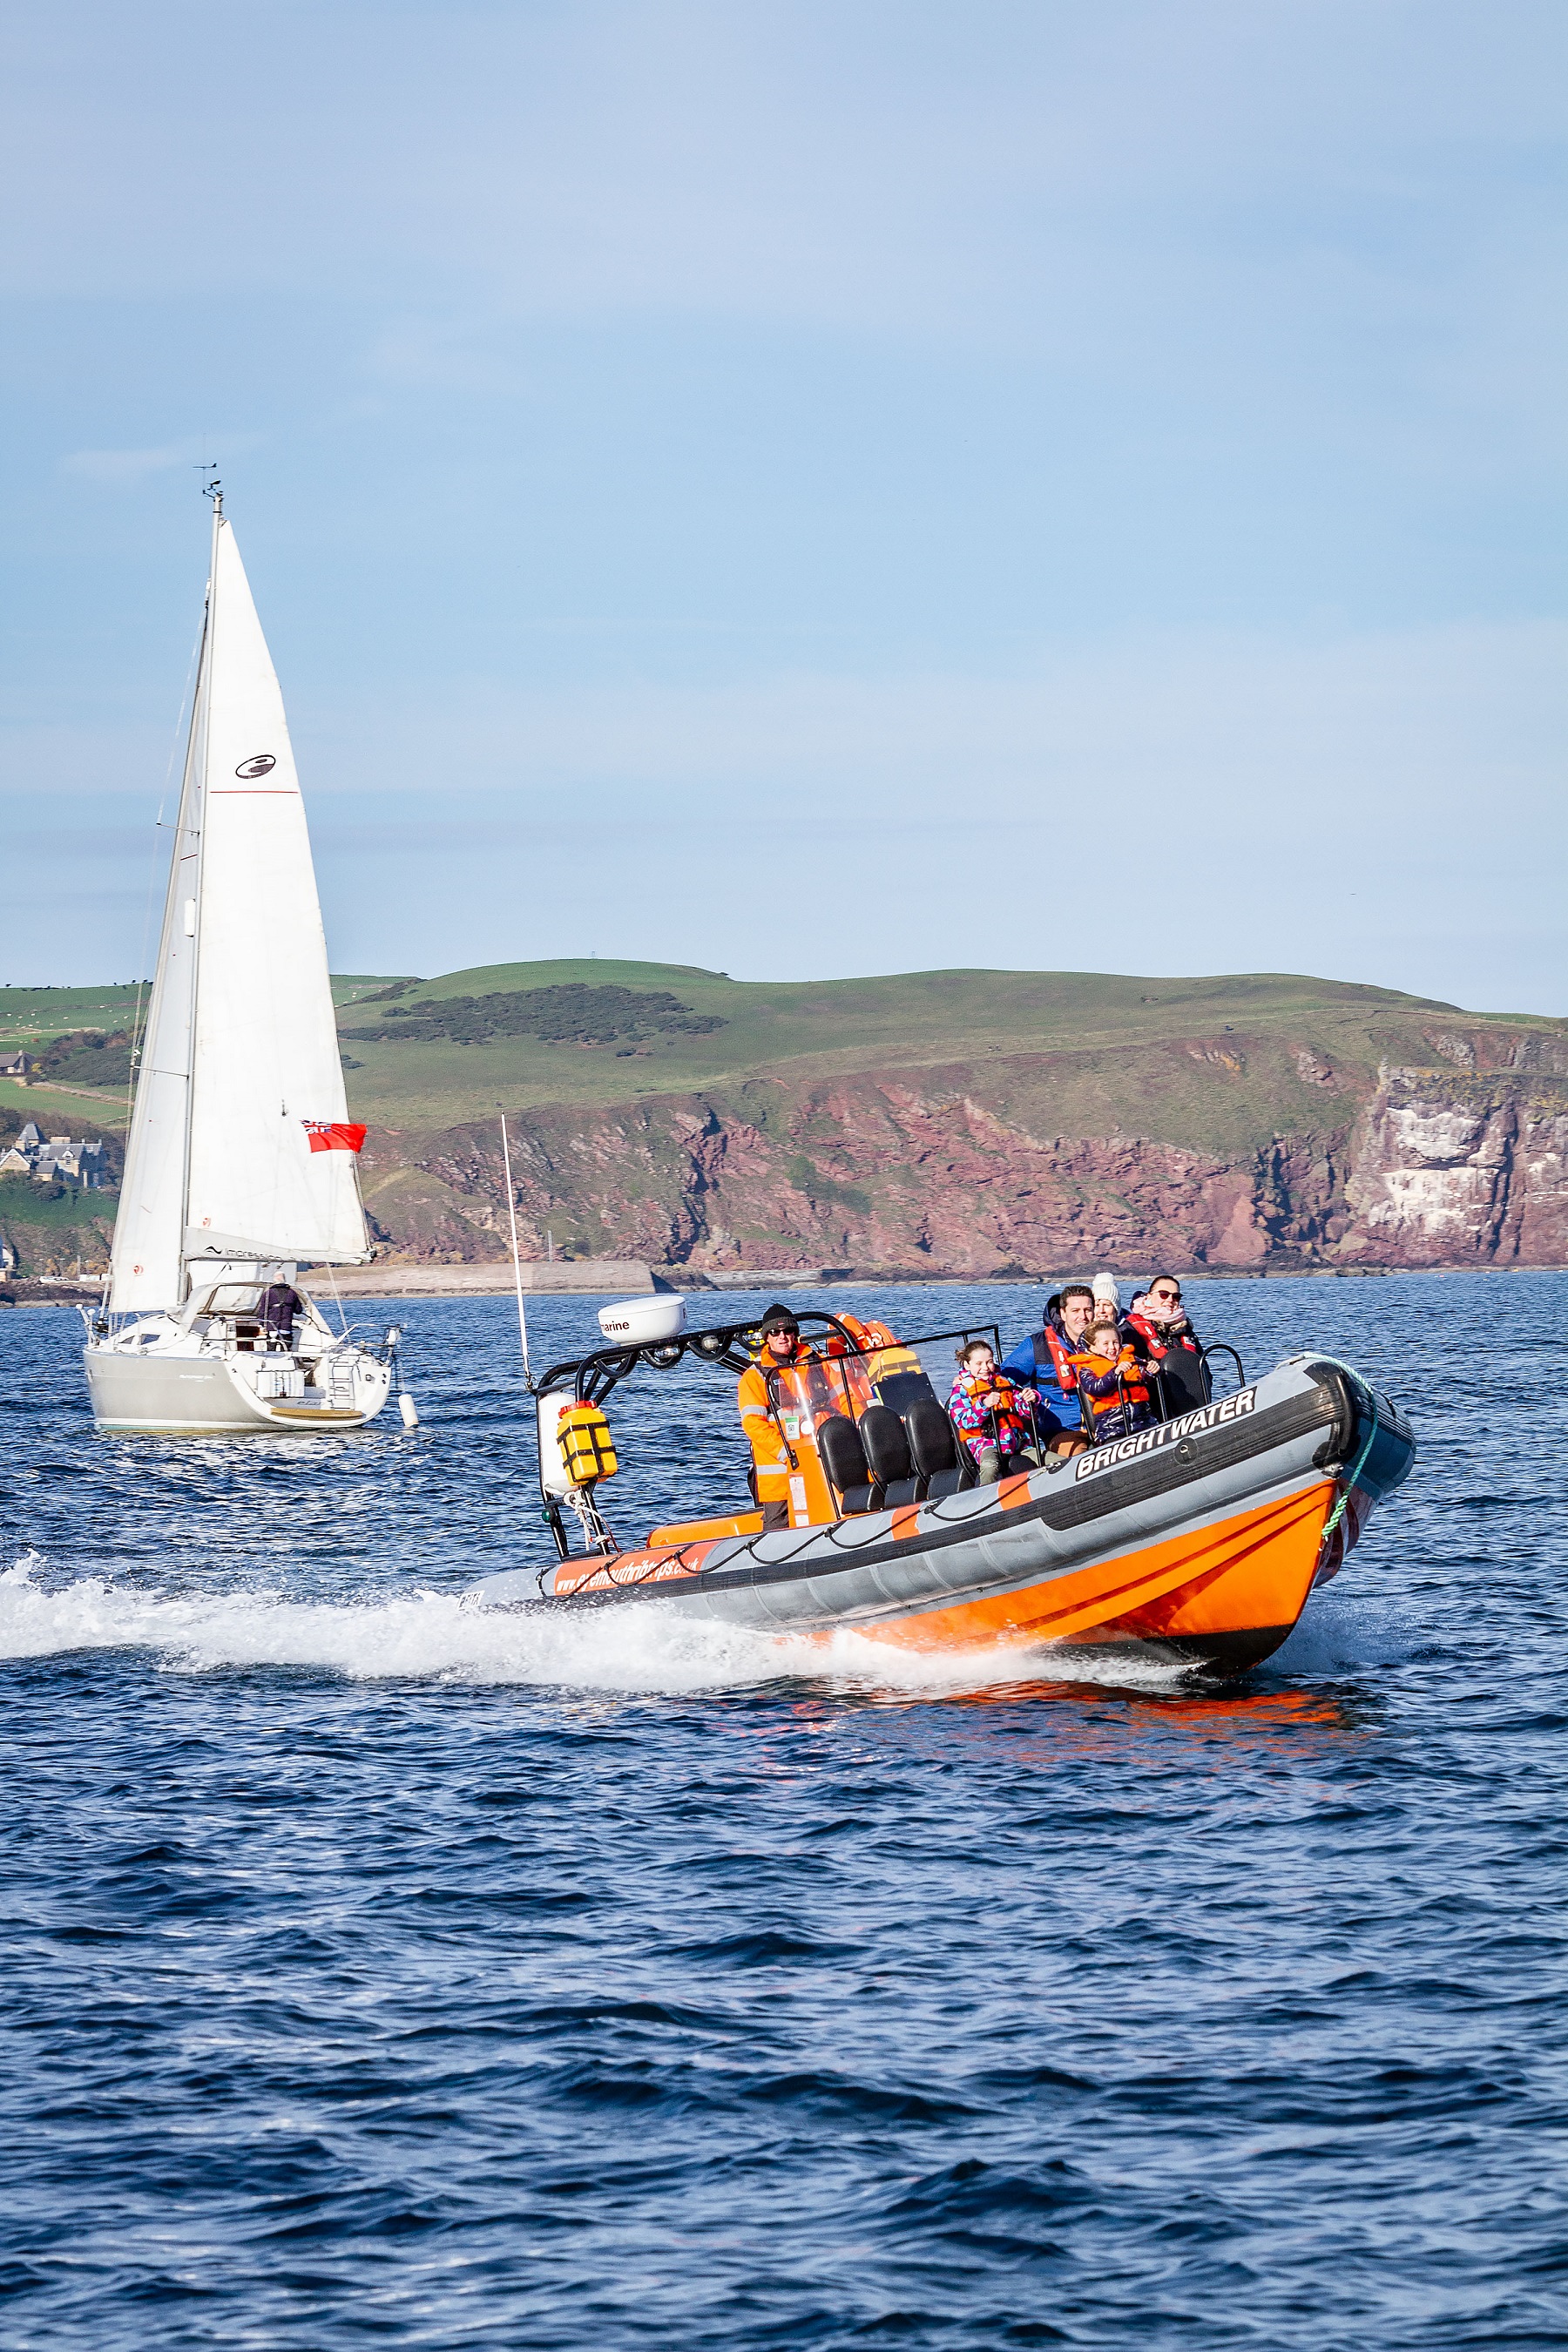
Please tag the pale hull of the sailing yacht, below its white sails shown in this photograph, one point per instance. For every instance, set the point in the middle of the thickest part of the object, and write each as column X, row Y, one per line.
column 208, row 1396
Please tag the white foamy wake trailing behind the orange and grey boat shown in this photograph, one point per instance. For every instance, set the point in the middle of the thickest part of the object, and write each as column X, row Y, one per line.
column 438, row 1636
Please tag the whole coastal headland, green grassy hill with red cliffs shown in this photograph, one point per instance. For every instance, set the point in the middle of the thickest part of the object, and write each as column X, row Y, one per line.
column 963, row 1118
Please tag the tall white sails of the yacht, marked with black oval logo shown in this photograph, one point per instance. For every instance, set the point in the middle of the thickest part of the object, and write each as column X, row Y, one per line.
column 241, row 1055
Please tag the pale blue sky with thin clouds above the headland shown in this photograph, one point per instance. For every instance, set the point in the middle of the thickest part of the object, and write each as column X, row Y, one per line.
column 805, row 490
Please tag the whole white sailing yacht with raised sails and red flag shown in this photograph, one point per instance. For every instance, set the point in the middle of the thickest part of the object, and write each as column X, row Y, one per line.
column 241, row 1158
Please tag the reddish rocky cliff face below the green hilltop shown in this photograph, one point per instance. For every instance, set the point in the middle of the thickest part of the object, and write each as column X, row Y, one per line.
column 960, row 1170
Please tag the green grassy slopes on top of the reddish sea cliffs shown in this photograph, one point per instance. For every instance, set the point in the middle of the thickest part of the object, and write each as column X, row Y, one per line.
column 1198, row 1062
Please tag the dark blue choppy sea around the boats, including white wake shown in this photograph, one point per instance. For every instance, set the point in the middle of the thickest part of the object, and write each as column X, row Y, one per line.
column 380, row 1972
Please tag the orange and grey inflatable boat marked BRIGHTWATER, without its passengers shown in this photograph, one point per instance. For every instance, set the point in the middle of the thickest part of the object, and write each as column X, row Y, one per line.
column 1195, row 1542
